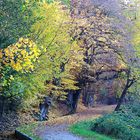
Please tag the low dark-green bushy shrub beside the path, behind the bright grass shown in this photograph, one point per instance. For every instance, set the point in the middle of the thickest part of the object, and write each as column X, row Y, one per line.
column 120, row 125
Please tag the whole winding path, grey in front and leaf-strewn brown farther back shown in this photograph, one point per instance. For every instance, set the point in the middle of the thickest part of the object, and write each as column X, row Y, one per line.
column 57, row 129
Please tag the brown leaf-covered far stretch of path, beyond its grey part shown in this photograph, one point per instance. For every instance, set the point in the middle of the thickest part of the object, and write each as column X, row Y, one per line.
column 83, row 113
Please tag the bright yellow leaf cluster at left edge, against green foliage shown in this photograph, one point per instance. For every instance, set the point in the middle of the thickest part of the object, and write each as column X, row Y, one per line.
column 21, row 55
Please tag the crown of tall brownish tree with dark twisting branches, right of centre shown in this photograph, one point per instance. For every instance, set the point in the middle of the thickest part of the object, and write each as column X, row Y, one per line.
column 101, row 39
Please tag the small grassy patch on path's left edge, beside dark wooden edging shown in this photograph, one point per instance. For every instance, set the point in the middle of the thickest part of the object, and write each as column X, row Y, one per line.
column 29, row 130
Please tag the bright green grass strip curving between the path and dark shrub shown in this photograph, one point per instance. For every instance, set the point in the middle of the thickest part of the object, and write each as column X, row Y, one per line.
column 84, row 129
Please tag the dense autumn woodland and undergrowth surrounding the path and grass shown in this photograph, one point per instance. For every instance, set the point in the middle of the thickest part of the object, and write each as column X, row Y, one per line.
column 56, row 55
